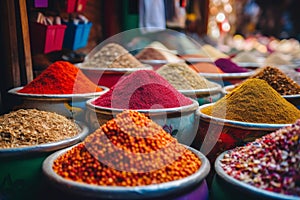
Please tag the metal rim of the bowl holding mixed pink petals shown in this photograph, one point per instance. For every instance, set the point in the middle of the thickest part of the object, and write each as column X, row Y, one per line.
column 245, row 186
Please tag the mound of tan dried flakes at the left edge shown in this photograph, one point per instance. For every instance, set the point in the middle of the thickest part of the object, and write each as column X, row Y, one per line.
column 28, row 127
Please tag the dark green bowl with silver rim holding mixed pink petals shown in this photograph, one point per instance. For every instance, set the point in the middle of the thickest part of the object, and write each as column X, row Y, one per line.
column 227, row 187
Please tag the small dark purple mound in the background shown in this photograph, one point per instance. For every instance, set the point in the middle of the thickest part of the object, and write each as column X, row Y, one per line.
column 227, row 66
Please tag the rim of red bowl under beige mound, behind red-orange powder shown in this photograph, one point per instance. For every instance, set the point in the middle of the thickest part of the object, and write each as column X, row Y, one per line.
column 116, row 70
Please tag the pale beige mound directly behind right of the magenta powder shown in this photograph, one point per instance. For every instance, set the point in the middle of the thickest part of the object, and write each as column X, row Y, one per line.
column 182, row 77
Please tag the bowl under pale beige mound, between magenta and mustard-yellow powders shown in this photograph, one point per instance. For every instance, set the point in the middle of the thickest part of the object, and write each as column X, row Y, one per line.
column 206, row 95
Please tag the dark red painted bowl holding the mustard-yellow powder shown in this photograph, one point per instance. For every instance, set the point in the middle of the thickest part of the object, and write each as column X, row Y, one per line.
column 216, row 135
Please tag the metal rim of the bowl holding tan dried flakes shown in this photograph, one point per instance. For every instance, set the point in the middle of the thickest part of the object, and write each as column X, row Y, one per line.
column 46, row 147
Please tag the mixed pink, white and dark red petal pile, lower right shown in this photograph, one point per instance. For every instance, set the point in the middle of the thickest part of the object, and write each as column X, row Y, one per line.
column 271, row 163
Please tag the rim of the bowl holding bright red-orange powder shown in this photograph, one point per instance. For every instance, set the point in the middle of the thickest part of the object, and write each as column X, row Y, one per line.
column 14, row 91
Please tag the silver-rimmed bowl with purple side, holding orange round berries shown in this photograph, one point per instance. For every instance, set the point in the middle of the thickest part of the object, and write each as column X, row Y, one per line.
column 191, row 187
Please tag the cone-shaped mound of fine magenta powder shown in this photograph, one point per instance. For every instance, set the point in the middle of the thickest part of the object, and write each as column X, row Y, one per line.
column 143, row 89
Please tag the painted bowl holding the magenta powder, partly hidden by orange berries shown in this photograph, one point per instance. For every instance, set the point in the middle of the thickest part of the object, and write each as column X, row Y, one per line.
column 180, row 122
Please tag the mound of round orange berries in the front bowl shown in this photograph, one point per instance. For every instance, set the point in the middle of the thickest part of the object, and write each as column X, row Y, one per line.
column 130, row 150
